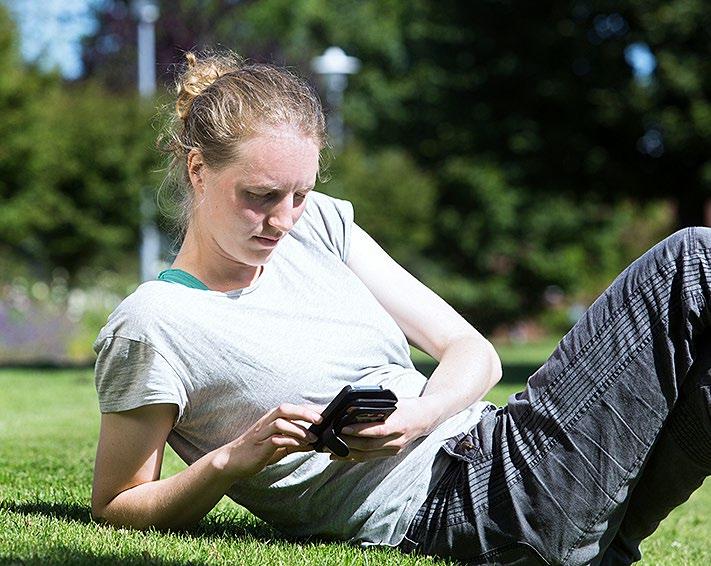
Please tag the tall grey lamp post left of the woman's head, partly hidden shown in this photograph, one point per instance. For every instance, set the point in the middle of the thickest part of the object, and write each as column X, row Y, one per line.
column 147, row 12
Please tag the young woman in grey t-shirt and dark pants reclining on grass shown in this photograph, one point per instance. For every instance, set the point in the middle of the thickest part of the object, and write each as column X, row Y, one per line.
column 276, row 300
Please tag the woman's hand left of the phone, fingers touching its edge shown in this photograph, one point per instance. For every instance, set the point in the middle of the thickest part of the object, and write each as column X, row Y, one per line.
column 281, row 431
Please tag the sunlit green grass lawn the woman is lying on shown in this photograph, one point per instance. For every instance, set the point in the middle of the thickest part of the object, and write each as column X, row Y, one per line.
column 48, row 427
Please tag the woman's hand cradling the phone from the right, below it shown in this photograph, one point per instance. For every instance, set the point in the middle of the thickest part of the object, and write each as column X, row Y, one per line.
column 412, row 419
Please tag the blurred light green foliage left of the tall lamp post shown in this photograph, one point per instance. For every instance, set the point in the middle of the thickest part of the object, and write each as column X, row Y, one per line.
column 72, row 162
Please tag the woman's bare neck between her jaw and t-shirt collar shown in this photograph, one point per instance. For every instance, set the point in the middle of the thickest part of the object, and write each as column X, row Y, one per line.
column 215, row 271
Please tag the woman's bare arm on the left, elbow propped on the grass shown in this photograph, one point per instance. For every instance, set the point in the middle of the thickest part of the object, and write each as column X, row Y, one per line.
column 128, row 492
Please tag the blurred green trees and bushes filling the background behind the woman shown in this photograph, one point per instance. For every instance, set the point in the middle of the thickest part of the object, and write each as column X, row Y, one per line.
column 507, row 153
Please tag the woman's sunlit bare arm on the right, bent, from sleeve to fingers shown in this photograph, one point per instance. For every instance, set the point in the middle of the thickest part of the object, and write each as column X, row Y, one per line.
column 468, row 364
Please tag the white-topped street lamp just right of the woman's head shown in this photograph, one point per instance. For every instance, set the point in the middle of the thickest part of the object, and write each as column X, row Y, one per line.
column 335, row 66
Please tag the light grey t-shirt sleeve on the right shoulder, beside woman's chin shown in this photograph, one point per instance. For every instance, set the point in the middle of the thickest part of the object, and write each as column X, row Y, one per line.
column 330, row 220
